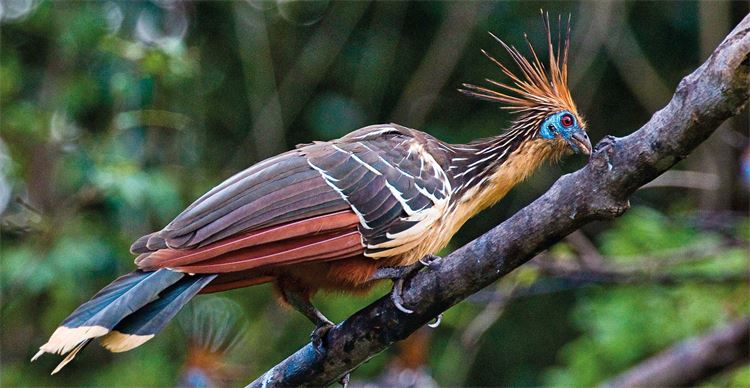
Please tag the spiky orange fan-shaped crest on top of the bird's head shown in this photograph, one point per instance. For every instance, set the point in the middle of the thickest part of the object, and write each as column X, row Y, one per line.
column 535, row 89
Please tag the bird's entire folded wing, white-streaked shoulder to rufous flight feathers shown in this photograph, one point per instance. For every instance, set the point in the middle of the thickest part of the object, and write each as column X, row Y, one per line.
column 374, row 191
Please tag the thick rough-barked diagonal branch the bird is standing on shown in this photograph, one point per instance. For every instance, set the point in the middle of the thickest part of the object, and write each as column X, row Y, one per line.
column 717, row 90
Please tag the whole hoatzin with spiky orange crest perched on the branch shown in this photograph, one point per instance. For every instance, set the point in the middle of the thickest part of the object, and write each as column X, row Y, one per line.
column 335, row 215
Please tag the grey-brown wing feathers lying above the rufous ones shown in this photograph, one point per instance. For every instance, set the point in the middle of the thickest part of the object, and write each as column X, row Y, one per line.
column 275, row 191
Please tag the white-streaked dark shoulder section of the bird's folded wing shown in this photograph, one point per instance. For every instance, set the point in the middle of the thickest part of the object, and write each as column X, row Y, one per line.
column 392, row 178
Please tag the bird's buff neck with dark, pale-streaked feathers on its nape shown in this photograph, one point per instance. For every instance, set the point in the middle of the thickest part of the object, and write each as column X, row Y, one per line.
column 485, row 170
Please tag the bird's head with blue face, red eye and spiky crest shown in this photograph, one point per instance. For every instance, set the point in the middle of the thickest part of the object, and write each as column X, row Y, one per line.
column 539, row 95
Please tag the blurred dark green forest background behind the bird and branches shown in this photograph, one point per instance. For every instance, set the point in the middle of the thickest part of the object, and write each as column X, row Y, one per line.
column 116, row 115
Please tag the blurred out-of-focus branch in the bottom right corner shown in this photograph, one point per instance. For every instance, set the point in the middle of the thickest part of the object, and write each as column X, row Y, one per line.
column 691, row 361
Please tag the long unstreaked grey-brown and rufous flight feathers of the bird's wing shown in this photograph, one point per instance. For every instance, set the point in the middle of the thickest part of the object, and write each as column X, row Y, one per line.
column 279, row 211
